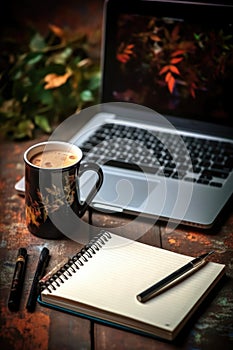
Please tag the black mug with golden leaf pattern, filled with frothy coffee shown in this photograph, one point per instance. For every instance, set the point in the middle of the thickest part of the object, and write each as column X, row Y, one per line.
column 52, row 188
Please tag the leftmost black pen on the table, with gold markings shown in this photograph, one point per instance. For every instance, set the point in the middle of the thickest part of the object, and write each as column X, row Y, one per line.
column 17, row 281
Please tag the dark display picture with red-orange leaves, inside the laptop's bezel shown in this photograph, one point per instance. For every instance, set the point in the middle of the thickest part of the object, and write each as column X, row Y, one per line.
column 174, row 66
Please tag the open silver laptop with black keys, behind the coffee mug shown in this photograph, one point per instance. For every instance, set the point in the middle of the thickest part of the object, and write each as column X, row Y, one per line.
column 163, row 132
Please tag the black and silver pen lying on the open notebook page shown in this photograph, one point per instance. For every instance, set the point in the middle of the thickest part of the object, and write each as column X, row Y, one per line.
column 165, row 283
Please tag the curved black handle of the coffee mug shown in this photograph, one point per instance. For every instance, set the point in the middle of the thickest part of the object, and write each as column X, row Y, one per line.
column 90, row 167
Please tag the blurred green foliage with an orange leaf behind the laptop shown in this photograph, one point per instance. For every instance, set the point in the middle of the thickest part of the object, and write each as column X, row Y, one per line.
column 42, row 84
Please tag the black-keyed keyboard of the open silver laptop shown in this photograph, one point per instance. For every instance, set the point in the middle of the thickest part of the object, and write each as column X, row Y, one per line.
column 158, row 153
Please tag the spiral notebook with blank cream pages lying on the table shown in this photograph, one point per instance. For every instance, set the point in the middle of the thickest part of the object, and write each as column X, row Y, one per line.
column 102, row 280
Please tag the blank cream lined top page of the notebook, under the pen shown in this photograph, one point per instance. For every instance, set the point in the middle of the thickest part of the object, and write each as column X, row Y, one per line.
column 123, row 268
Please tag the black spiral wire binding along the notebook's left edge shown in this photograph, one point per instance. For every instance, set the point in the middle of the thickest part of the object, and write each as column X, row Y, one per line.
column 76, row 262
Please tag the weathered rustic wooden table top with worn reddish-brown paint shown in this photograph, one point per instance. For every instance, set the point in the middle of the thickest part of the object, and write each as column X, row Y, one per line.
column 211, row 328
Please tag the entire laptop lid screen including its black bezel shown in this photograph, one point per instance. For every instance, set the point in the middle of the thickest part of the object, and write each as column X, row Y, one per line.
column 175, row 58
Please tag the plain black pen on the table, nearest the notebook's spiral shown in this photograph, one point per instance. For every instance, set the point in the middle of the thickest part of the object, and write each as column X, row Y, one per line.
column 42, row 263
